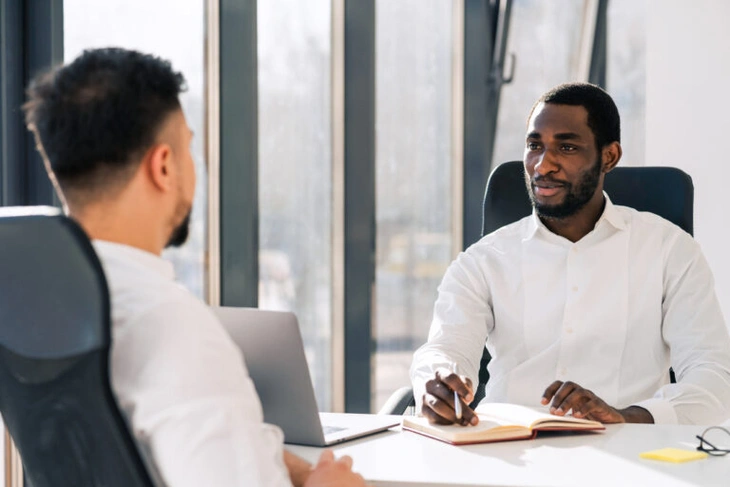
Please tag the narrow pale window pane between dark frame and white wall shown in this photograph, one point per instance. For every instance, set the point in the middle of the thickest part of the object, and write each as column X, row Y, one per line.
column 626, row 74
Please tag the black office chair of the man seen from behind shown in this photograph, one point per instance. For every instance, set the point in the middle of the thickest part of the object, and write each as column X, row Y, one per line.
column 55, row 396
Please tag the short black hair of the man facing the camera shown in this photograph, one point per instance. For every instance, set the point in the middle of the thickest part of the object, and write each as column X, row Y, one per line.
column 603, row 117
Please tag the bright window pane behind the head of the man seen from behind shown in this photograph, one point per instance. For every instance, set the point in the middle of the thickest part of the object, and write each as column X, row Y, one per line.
column 135, row 24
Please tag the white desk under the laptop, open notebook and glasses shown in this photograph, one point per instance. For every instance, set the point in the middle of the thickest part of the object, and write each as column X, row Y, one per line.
column 610, row 458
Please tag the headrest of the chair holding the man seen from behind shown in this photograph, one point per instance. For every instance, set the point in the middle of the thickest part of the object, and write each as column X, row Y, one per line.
column 54, row 301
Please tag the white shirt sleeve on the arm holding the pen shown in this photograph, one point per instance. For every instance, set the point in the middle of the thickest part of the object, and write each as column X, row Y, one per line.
column 462, row 317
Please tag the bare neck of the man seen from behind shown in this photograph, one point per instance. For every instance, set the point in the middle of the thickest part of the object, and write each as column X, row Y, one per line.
column 119, row 225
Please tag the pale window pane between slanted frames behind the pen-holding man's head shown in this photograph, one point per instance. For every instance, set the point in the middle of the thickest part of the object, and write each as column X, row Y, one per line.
column 546, row 43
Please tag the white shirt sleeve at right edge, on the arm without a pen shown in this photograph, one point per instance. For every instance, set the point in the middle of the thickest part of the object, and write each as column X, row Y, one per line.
column 694, row 329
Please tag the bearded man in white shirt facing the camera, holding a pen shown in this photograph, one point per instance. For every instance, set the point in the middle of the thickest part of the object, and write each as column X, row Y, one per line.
column 583, row 305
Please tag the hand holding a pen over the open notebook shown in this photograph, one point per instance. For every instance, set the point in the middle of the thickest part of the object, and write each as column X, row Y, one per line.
column 438, row 401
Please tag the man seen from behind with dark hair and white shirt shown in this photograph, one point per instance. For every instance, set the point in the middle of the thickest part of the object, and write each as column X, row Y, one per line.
column 117, row 146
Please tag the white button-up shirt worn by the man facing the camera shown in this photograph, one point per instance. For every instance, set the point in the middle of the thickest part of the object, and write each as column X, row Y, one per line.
column 610, row 312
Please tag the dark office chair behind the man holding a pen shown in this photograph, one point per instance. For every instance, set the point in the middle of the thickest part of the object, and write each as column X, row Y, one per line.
column 664, row 191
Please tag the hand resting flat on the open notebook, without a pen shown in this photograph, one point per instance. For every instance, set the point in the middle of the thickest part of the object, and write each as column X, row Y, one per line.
column 567, row 396
